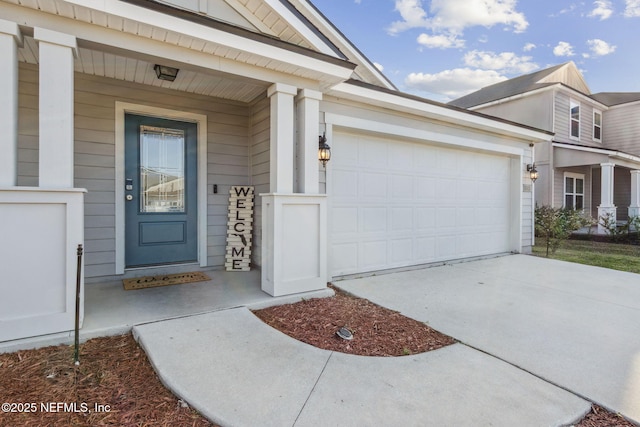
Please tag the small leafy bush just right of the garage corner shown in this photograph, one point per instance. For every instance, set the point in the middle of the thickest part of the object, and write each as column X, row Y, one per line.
column 555, row 225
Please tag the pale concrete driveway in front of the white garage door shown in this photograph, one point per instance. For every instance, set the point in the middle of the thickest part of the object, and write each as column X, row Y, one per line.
column 574, row 326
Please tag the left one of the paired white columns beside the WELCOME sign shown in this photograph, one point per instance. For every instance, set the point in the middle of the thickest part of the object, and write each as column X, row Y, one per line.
column 282, row 138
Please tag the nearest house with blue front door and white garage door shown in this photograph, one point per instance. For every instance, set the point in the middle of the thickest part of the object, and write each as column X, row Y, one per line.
column 97, row 151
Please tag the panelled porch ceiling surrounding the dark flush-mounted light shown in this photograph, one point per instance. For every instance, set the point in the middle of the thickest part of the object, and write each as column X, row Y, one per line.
column 109, row 62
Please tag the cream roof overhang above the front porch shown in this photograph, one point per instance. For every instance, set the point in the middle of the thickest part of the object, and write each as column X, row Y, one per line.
column 223, row 40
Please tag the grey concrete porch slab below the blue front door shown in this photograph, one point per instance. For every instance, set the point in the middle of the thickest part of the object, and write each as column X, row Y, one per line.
column 111, row 310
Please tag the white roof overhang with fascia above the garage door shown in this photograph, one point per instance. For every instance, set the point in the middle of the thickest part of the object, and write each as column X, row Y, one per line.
column 406, row 103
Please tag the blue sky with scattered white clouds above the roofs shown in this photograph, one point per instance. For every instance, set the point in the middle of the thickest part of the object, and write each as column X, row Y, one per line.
column 443, row 49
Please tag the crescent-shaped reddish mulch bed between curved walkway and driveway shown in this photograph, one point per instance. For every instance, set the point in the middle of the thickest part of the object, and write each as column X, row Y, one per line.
column 377, row 331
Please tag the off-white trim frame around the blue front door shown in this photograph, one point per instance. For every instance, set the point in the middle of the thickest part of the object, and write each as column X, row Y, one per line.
column 201, row 120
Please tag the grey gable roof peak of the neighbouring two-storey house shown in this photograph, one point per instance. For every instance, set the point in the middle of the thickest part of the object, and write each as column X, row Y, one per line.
column 566, row 74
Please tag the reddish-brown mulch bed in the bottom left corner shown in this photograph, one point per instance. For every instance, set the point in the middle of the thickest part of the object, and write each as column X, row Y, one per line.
column 113, row 371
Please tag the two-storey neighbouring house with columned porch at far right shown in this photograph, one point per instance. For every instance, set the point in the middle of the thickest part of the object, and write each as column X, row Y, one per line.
column 593, row 162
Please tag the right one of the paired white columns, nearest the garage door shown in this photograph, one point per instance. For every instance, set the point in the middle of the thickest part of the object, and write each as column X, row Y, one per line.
column 308, row 111
